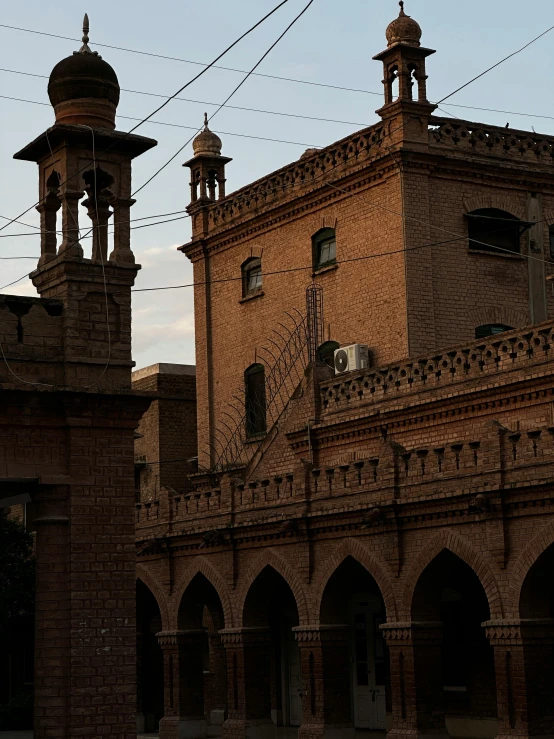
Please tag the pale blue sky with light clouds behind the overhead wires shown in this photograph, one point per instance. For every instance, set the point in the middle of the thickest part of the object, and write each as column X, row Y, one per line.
column 332, row 44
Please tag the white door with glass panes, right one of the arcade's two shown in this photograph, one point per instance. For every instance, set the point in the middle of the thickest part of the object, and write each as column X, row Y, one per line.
column 368, row 665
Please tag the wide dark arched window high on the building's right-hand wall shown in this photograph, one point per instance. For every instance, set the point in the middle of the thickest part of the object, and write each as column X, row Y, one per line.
column 494, row 230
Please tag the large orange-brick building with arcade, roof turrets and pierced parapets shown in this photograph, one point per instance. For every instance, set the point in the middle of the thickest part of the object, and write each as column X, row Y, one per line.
column 371, row 550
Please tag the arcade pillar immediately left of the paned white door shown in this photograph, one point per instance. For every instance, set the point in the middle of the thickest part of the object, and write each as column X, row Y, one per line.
column 326, row 681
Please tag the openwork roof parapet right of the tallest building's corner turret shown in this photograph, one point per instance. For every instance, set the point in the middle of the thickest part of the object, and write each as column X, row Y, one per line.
column 491, row 140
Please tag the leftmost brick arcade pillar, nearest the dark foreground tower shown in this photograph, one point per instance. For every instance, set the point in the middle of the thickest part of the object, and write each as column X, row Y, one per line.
column 183, row 655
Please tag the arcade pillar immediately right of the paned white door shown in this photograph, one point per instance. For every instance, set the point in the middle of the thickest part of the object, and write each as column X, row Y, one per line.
column 415, row 650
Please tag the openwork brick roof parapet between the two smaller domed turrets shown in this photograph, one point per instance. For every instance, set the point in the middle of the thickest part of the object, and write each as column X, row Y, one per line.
column 303, row 174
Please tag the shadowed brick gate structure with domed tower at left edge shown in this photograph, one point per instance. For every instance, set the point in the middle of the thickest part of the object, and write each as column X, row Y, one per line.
column 68, row 414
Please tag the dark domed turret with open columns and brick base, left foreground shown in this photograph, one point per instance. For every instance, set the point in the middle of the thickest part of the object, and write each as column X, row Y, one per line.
column 84, row 161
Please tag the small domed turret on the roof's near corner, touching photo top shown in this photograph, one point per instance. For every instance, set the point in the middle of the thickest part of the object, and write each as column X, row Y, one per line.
column 404, row 62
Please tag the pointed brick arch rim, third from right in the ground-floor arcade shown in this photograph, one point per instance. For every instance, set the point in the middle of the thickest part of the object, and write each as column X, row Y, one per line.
column 378, row 570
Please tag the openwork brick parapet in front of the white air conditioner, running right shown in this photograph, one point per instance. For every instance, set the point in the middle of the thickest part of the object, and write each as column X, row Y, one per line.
column 481, row 358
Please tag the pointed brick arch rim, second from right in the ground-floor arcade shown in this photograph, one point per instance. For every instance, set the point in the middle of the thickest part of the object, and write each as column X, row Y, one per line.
column 462, row 549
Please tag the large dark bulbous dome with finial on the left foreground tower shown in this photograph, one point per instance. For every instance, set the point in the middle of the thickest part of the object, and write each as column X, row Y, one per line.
column 83, row 88
